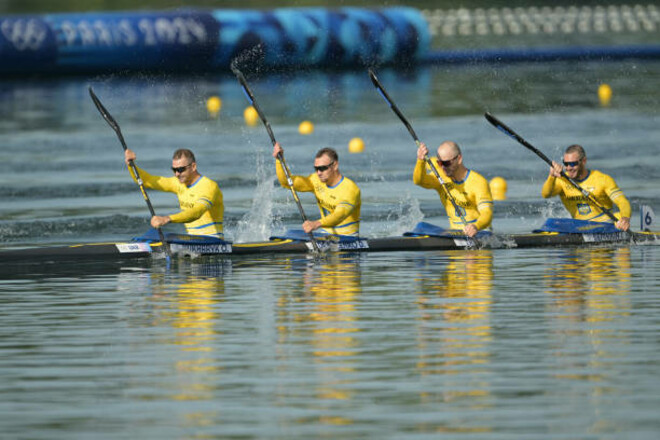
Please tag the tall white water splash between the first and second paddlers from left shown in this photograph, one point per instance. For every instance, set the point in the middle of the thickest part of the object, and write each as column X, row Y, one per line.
column 256, row 224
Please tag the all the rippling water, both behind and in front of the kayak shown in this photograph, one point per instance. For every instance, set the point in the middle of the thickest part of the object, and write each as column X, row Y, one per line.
column 535, row 343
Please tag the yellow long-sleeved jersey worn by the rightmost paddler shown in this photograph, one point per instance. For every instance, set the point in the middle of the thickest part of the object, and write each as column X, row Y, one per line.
column 603, row 188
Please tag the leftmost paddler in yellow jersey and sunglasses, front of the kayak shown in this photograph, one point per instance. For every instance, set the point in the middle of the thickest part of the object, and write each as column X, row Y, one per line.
column 200, row 198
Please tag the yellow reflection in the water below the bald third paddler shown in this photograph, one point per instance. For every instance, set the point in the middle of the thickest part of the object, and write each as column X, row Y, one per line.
column 454, row 341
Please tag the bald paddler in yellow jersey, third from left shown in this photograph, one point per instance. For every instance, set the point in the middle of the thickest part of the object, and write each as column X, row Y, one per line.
column 468, row 188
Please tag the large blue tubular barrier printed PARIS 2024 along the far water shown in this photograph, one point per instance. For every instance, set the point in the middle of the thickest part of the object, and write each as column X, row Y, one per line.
column 195, row 40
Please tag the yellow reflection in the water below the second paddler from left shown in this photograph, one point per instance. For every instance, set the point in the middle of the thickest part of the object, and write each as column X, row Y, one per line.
column 325, row 302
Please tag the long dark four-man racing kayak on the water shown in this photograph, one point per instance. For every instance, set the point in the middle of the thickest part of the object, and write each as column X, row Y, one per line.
column 194, row 246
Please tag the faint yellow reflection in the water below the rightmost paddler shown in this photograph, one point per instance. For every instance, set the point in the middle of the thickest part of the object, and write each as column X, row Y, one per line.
column 590, row 288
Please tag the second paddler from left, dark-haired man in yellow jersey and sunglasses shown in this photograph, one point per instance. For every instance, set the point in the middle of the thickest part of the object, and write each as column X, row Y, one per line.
column 338, row 197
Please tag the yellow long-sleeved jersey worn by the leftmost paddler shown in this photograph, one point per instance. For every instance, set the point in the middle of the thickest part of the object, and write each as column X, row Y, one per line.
column 202, row 208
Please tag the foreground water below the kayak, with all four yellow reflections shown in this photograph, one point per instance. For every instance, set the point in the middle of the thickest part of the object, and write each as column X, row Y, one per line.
column 554, row 343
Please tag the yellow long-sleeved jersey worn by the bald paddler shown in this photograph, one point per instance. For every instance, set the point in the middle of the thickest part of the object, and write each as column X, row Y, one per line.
column 472, row 195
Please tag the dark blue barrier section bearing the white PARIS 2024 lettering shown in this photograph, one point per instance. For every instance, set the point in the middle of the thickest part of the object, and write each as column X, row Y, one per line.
column 179, row 41
